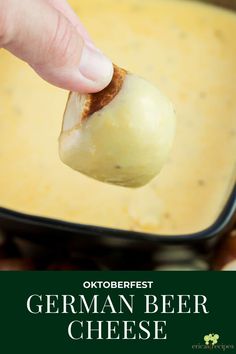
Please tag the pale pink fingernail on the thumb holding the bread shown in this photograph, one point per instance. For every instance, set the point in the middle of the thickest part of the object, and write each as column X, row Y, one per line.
column 95, row 66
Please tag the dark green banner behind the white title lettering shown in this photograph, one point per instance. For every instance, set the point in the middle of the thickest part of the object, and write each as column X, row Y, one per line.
column 26, row 333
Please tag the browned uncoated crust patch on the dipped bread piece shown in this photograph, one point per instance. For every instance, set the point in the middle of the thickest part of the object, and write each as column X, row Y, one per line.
column 98, row 100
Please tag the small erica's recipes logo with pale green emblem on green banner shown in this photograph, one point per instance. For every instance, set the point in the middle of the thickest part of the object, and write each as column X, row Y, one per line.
column 212, row 341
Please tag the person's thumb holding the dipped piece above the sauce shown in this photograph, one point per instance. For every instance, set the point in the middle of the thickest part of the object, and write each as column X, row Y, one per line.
column 39, row 34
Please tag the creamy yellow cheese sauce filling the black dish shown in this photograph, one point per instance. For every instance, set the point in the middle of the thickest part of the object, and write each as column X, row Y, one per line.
column 188, row 50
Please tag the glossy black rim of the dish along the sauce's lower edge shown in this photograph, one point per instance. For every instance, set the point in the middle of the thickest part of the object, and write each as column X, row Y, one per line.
column 221, row 223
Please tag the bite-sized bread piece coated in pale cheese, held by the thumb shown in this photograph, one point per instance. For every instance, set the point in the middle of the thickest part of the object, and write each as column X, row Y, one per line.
column 121, row 135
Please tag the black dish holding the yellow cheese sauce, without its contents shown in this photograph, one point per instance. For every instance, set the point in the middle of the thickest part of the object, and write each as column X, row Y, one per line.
column 51, row 231
